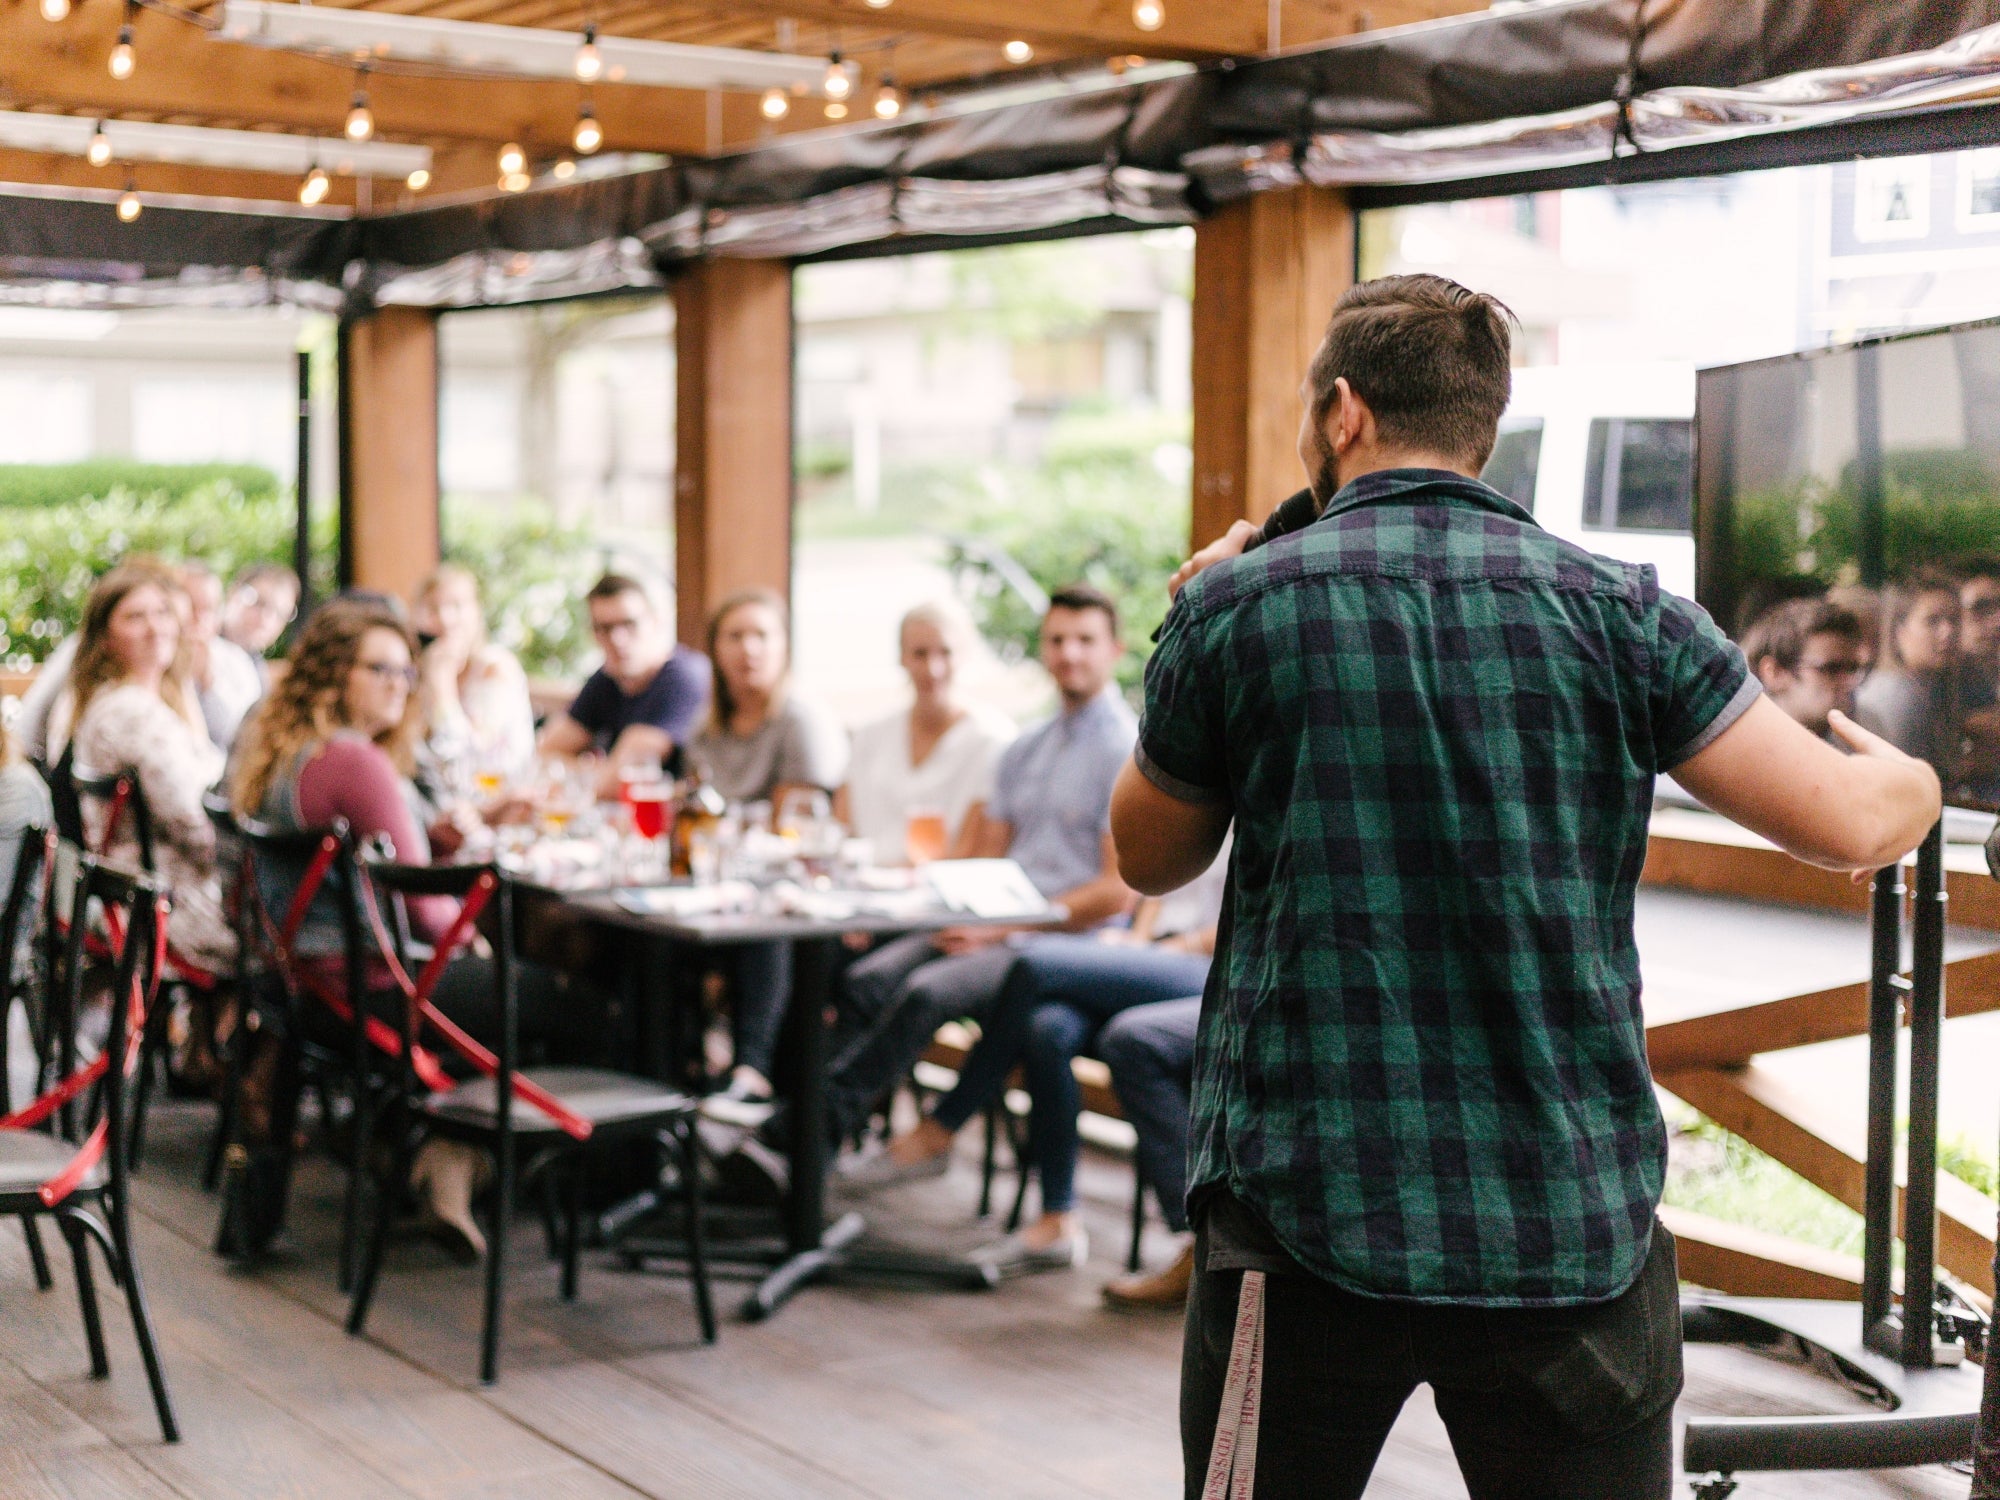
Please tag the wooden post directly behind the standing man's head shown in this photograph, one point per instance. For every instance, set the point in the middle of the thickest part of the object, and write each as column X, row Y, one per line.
column 1267, row 275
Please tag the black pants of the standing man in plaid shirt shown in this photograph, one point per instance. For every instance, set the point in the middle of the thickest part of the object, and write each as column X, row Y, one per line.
column 1545, row 1405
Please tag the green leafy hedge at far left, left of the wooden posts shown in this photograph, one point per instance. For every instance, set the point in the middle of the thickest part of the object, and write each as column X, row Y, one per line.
column 53, row 555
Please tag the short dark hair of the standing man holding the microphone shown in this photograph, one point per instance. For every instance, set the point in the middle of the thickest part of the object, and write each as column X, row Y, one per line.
column 1431, row 357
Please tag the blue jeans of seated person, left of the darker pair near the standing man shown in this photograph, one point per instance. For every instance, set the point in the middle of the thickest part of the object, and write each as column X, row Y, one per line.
column 1055, row 1001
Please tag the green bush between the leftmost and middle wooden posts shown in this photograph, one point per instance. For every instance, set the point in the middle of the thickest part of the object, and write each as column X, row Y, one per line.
column 533, row 575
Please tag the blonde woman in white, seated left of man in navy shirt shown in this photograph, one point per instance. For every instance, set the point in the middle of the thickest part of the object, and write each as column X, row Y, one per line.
column 475, row 697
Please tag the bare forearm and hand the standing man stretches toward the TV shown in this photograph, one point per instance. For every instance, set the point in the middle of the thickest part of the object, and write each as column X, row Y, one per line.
column 1843, row 813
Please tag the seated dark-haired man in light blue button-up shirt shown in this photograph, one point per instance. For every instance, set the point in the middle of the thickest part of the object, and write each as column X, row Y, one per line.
column 1051, row 813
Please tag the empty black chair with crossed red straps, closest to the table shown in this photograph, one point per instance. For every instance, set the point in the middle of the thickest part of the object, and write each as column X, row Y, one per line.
column 561, row 1115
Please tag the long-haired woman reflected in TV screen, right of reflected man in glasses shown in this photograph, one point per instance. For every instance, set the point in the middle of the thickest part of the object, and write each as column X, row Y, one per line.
column 1911, row 699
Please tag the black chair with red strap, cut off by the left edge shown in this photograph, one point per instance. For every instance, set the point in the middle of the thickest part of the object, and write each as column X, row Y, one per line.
column 43, row 1175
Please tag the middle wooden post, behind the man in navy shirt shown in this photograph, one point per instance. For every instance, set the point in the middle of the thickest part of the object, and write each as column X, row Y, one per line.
column 733, row 485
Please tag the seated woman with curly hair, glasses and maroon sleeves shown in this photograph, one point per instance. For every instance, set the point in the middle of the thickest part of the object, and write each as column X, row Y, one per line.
column 337, row 741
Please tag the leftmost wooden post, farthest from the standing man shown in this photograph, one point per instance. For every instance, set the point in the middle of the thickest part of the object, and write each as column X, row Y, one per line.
column 389, row 451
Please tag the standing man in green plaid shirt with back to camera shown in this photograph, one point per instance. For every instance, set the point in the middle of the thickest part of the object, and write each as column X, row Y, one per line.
column 1425, row 1135
